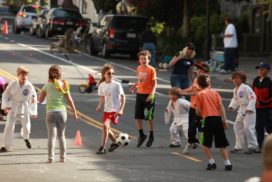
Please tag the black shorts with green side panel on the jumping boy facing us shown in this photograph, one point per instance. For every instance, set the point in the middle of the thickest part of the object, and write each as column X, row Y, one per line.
column 143, row 109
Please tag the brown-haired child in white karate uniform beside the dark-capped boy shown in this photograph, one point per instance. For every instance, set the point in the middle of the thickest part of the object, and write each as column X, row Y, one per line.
column 244, row 126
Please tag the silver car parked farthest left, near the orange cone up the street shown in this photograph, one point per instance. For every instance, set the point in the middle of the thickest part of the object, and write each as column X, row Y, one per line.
column 23, row 19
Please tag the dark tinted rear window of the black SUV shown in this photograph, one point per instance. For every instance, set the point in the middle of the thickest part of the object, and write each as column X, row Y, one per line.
column 134, row 23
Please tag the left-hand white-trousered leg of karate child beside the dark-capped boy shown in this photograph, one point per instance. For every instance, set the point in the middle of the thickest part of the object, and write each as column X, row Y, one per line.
column 239, row 133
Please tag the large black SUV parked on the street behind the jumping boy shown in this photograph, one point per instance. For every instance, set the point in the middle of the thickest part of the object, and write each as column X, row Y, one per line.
column 117, row 34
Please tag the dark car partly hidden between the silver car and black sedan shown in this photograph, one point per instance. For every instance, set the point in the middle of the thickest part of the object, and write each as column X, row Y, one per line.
column 38, row 24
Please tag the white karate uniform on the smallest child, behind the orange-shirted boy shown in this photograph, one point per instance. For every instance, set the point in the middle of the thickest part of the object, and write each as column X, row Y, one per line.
column 180, row 111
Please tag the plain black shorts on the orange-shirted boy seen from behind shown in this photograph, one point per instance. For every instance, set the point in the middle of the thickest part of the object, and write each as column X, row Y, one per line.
column 214, row 129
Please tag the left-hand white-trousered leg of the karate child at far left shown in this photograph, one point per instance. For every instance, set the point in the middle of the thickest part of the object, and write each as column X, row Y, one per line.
column 9, row 129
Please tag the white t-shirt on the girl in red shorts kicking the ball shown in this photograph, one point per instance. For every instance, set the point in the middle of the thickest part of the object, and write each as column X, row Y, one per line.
column 112, row 93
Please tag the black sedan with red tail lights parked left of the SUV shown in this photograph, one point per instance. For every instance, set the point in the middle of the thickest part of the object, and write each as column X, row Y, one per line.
column 59, row 20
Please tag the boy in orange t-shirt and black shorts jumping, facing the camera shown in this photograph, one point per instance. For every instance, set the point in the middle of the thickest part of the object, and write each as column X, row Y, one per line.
column 145, row 99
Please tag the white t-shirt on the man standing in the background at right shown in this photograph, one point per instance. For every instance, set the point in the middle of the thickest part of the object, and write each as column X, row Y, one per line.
column 230, row 42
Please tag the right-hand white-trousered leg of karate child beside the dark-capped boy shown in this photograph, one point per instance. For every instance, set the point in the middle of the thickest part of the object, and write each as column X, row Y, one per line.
column 249, row 127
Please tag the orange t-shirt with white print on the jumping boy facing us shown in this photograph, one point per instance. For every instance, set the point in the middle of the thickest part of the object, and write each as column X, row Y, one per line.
column 146, row 76
